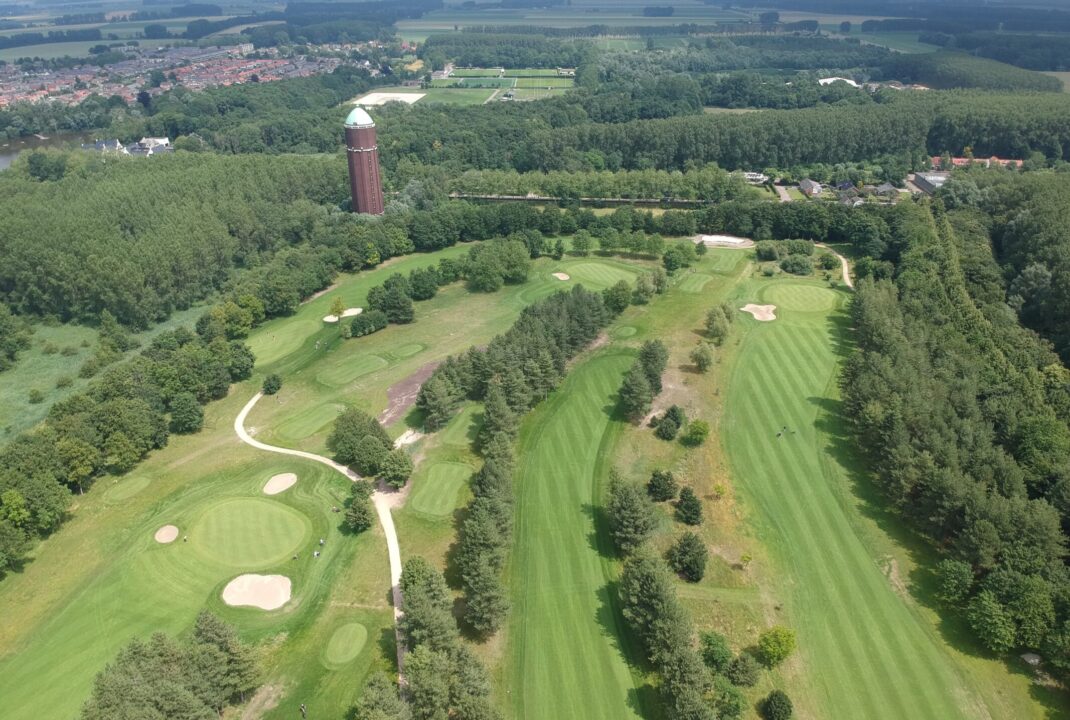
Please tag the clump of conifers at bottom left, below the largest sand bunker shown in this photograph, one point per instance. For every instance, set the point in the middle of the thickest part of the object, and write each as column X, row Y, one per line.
column 191, row 680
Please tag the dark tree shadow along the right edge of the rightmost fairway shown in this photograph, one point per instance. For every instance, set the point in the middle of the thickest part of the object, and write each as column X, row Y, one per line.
column 923, row 584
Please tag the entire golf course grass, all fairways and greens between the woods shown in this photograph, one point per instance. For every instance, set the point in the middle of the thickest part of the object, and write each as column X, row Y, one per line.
column 824, row 562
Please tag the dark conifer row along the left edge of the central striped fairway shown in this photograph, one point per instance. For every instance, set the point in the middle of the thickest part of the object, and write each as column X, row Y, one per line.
column 511, row 376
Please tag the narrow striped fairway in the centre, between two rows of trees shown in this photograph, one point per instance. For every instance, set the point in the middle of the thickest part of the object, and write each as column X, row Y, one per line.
column 564, row 658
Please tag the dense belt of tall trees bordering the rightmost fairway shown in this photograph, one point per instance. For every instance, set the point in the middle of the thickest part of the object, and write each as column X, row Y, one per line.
column 962, row 416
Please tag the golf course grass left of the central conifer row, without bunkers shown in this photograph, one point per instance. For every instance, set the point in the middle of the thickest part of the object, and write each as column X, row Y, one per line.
column 103, row 579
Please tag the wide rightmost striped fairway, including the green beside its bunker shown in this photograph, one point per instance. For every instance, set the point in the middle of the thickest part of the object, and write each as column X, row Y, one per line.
column 865, row 652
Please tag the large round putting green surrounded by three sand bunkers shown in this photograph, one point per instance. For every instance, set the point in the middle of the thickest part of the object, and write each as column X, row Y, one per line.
column 250, row 533
